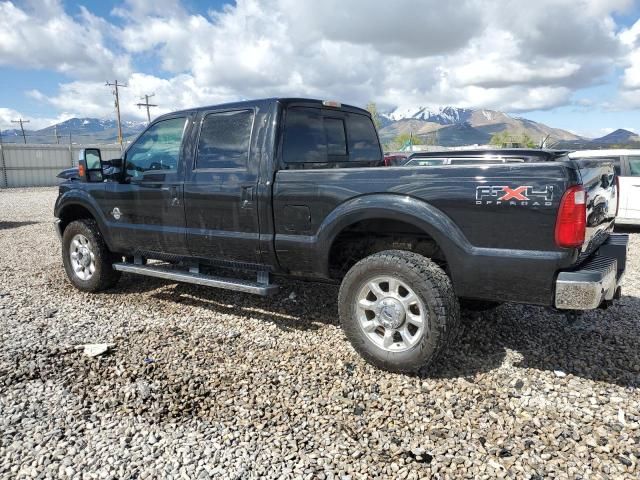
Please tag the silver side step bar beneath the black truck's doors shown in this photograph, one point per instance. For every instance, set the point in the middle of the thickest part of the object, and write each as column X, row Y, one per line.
column 261, row 287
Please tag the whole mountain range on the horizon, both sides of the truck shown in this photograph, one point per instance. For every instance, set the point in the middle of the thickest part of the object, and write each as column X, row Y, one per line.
column 446, row 126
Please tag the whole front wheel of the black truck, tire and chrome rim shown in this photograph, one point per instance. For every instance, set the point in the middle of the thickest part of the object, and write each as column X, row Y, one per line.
column 86, row 258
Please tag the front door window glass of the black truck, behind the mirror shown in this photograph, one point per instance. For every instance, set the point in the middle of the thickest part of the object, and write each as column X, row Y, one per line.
column 157, row 149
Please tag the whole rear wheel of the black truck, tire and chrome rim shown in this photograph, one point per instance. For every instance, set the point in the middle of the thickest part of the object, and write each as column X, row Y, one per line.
column 398, row 309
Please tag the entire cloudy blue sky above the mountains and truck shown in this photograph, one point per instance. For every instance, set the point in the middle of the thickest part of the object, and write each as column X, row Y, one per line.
column 572, row 64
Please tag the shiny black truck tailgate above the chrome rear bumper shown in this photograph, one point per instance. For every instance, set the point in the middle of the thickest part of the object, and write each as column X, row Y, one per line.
column 598, row 178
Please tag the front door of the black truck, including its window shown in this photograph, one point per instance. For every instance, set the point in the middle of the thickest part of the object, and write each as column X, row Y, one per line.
column 147, row 206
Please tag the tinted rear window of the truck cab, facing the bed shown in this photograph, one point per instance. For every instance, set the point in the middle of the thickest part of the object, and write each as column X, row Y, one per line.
column 328, row 138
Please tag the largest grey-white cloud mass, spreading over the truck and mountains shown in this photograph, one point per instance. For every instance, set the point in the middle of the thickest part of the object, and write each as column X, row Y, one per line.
column 510, row 56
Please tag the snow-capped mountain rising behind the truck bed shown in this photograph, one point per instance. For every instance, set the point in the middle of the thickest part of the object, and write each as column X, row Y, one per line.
column 474, row 126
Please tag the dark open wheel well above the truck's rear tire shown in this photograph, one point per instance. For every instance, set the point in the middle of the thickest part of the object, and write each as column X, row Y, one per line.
column 367, row 237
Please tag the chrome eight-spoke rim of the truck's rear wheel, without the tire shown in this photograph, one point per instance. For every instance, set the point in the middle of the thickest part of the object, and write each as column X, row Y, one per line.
column 391, row 314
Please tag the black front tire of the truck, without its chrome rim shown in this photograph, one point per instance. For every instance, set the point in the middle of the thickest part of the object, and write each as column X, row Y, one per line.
column 104, row 276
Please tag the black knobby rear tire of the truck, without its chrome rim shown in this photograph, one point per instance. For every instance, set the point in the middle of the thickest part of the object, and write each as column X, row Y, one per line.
column 429, row 282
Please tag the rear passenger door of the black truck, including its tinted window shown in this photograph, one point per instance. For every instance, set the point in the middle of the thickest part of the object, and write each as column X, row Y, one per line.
column 220, row 189
